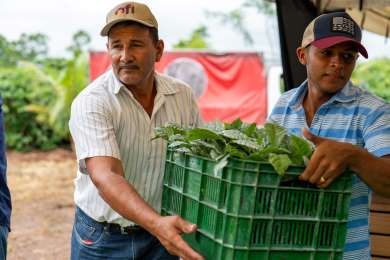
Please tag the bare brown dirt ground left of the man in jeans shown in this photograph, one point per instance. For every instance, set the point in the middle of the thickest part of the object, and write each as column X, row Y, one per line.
column 41, row 185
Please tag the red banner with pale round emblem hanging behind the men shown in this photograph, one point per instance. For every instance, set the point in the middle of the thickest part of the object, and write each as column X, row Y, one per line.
column 228, row 86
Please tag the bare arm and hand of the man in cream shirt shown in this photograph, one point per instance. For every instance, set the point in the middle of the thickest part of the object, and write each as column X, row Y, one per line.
column 107, row 174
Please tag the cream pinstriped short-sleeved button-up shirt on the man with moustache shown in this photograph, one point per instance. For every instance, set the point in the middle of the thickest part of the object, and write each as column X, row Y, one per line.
column 106, row 120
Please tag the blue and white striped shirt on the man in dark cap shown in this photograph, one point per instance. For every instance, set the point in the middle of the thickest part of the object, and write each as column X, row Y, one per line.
column 352, row 115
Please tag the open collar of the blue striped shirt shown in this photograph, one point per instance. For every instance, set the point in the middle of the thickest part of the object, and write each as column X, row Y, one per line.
column 346, row 94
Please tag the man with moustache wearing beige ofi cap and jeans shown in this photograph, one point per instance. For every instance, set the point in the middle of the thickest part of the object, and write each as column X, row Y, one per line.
column 118, row 187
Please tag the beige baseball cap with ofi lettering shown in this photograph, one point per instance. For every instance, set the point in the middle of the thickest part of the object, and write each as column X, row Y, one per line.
column 129, row 11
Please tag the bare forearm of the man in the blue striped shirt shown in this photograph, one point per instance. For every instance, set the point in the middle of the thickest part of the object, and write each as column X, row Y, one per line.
column 374, row 171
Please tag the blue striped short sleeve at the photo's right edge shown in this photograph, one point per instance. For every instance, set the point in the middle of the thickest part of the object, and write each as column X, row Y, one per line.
column 376, row 132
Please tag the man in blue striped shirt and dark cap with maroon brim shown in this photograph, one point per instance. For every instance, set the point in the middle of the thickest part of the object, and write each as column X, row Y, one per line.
column 349, row 126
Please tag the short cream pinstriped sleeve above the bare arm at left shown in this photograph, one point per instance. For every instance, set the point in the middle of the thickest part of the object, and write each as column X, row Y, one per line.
column 92, row 129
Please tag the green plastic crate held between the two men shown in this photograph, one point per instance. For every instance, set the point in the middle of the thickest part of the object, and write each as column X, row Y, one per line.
column 247, row 211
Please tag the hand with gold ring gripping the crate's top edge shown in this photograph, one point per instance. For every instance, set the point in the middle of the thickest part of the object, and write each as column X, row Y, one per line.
column 329, row 160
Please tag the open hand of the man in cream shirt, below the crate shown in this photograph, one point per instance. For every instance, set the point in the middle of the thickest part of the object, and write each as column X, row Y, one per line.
column 168, row 230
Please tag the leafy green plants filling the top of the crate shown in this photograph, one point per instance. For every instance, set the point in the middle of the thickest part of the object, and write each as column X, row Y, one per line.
column 269, row 143
